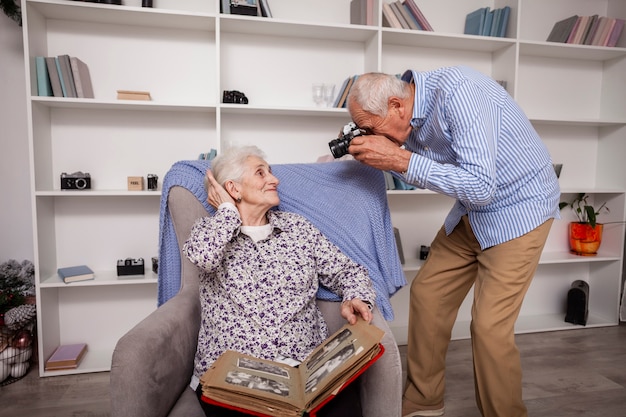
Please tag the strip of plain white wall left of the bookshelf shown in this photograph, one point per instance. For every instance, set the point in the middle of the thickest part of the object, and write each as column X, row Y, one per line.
column 16, row 231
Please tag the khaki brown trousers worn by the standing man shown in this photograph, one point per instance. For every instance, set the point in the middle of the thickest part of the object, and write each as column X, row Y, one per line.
column 501, row 276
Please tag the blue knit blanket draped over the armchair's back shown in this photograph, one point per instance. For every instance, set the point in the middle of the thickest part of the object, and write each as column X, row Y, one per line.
column 346, row 200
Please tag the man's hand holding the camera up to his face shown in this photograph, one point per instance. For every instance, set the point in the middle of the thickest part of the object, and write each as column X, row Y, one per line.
column 380, row 152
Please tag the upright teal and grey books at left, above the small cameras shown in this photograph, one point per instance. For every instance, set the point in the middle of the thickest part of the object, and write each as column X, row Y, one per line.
column 63, row 76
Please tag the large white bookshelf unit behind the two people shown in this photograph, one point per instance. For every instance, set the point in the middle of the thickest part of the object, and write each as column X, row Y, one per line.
column 185, row 53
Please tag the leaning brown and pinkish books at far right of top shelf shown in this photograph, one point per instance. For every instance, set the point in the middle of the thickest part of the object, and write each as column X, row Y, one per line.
column 587, row 30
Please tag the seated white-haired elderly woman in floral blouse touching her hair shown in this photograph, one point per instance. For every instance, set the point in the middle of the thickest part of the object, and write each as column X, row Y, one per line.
column 261, row 269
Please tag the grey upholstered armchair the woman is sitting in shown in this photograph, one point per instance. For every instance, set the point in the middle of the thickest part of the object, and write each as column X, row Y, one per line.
column 152, row 364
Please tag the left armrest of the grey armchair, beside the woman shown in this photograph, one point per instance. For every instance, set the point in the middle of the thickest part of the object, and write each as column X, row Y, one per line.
column 152, row 364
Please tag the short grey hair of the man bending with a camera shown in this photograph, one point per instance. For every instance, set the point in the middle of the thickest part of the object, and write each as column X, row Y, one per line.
column 371, row 92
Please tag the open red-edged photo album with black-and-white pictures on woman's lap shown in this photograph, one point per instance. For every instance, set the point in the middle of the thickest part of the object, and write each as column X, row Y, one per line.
column 263, row 387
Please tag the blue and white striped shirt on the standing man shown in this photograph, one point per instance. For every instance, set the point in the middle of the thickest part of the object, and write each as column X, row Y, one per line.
column 471, row 141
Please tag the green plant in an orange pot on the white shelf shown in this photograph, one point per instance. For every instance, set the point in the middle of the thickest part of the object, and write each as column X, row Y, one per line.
column 585, row 235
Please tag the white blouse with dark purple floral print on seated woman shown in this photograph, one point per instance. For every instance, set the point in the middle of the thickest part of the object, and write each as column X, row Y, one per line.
column 259, row 298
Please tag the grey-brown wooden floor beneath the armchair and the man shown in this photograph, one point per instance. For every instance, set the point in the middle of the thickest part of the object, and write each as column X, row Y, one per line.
column 566, row 373
